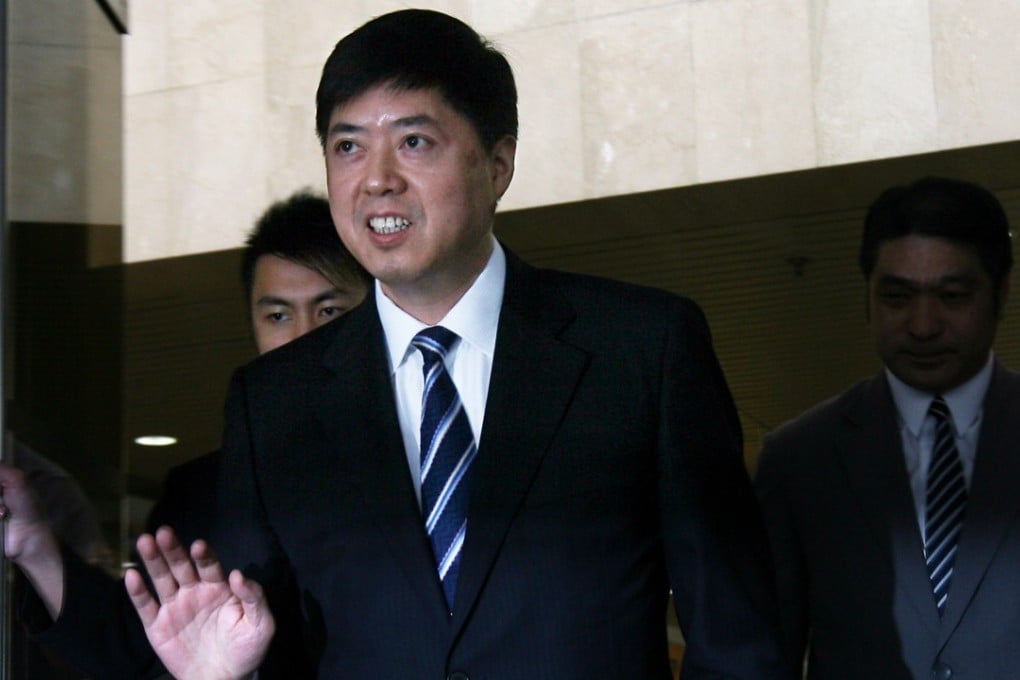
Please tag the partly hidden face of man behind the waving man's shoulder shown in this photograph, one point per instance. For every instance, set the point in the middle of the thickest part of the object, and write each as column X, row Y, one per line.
column 289, row 300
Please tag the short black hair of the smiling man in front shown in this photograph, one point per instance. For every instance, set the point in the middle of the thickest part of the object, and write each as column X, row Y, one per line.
column 421, row 49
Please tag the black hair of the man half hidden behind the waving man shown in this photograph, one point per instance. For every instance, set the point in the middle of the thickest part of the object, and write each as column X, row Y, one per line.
column 300, row 230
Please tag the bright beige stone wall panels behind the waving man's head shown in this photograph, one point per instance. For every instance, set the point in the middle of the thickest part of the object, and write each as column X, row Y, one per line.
column 617, row 96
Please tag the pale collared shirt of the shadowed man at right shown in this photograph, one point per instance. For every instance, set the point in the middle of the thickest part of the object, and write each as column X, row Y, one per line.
column 917, row 429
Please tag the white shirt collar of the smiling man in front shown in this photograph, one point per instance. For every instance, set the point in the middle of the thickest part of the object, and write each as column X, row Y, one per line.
column 475, row 319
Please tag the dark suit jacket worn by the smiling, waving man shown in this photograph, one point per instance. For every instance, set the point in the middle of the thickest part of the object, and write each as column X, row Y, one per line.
column 609, row 473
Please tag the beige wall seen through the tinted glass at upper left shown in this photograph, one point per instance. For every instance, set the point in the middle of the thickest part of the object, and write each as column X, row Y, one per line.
column 65, row 125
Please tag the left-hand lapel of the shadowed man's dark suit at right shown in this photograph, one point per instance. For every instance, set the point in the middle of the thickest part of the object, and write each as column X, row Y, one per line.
column 873, row 454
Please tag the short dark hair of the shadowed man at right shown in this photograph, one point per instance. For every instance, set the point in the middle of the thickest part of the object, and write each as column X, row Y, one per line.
column 953, row 210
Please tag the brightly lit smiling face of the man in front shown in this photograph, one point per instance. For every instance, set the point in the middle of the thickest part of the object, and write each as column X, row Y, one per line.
column 414, row 193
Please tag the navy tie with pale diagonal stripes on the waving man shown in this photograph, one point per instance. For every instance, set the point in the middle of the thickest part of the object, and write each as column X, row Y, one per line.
column 448, row 449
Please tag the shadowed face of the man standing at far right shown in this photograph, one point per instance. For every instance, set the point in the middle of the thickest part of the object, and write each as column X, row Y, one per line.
column 933, row 311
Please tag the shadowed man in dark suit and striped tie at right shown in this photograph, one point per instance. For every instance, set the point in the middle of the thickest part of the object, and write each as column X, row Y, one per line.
column 893, row 507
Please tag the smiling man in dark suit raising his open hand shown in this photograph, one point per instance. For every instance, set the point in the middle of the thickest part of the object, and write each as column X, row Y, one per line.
column 598, row 441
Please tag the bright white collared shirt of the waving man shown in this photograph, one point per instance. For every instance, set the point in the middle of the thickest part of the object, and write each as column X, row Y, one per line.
column 475, row 319
